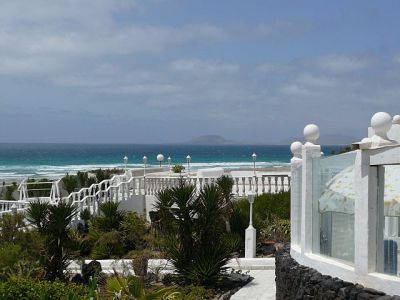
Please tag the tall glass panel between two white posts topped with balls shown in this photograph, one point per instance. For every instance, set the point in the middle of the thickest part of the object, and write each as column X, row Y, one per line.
column 333, row 206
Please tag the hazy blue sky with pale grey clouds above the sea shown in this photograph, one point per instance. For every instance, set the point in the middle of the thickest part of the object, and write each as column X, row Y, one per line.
column 166, row 71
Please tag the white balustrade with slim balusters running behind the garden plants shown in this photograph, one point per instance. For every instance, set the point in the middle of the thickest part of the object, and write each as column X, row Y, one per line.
column 123, row 187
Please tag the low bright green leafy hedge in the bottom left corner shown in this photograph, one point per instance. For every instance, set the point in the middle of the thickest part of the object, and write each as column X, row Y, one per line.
column 18, row 288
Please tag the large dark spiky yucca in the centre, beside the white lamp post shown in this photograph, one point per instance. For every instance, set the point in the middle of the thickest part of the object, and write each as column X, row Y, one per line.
column 195, row 243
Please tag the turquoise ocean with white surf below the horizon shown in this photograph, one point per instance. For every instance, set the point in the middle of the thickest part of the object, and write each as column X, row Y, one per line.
column 54, row 160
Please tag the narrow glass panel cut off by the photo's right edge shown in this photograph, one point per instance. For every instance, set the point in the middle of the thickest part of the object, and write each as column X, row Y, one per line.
column 388, row 255
